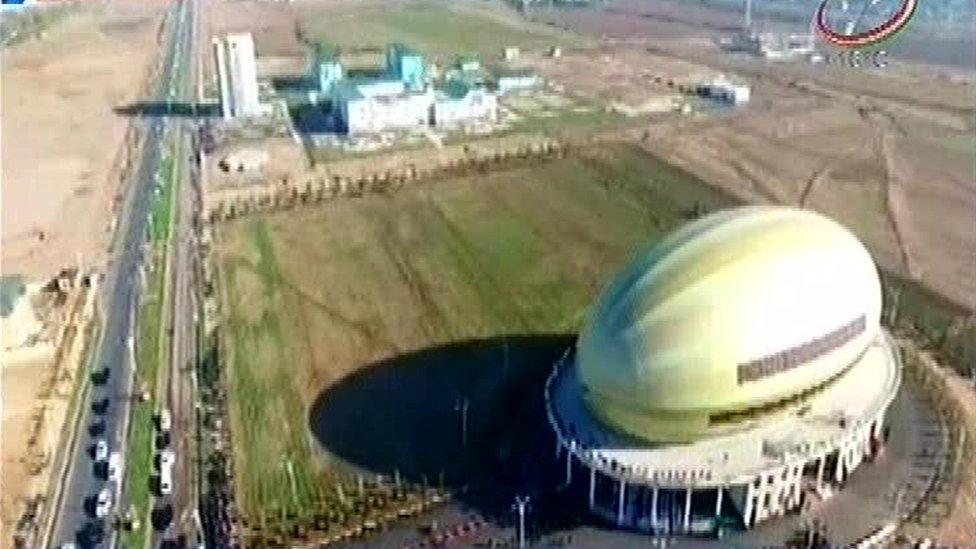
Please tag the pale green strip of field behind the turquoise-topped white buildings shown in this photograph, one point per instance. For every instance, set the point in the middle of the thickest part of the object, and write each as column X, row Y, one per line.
column 433, row 27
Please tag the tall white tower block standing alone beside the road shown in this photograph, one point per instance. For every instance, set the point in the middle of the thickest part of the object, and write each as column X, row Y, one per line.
column 237, row 76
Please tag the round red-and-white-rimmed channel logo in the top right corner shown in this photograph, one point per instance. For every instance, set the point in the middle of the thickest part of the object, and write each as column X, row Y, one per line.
column 852, row 24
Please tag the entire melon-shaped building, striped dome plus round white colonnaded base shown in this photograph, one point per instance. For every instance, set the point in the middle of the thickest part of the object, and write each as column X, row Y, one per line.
column 728, row 372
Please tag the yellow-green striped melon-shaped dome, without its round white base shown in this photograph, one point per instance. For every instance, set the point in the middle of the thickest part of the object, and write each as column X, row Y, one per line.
column 737, row 311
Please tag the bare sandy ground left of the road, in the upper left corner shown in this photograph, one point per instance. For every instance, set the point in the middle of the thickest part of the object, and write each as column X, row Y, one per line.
column 58, row 95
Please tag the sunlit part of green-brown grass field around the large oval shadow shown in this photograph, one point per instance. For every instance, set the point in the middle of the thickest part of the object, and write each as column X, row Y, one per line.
column 317, row 294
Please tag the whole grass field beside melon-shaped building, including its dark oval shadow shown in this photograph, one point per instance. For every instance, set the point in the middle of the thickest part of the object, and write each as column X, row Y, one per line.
column 369, row 318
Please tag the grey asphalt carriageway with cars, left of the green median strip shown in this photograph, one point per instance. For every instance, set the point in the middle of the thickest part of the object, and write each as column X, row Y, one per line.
column 104, row 415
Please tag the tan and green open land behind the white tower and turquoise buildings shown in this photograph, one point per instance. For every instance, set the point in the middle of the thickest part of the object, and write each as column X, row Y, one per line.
column 284, row 31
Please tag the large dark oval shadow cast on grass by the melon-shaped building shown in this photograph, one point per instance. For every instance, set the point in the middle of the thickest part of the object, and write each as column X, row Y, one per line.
column 405, row 414
